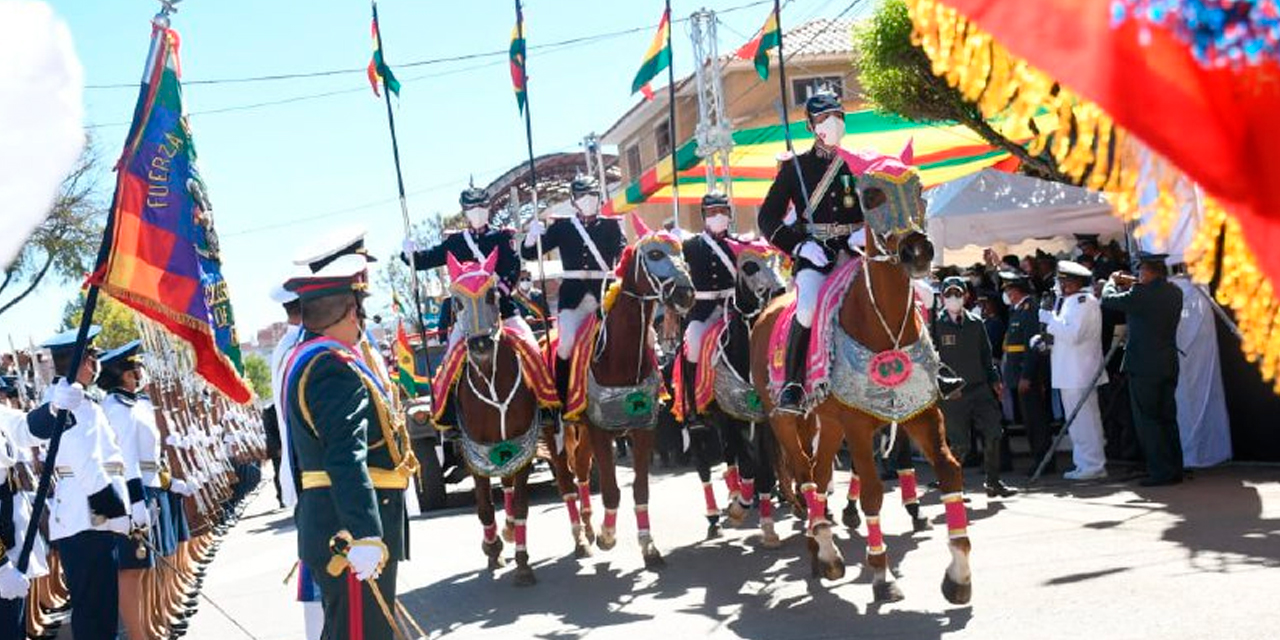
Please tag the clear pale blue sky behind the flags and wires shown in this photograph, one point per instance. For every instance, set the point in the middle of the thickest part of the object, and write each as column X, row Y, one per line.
column 284, row 173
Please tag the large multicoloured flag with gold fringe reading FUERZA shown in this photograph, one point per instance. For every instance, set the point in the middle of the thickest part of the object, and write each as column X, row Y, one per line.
column 161, row 254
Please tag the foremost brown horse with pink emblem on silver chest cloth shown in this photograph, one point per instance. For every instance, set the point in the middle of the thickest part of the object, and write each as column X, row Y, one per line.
column 884, row 372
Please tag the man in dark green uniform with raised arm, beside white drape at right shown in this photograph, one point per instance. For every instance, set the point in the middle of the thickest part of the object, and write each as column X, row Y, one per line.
column 1154, row 307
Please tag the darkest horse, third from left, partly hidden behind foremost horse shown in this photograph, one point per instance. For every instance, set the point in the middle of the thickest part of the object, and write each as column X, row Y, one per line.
column 735, row 408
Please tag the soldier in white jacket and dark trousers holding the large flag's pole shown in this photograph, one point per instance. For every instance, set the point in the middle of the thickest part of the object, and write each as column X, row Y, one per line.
column 89, row 509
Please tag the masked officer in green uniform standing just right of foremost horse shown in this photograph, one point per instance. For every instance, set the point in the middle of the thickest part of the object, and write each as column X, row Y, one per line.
column 962, row 342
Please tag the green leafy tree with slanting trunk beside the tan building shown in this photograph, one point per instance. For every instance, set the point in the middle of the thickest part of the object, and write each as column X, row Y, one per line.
column 898, row 77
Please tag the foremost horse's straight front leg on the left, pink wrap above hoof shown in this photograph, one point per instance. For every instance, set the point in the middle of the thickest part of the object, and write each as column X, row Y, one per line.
column 861, row 433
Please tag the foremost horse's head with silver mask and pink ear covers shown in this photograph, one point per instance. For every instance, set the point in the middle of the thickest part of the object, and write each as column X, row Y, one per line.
column 890, row 193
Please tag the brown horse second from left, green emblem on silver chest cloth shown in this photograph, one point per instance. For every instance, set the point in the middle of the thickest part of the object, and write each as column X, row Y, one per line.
column 616, row 385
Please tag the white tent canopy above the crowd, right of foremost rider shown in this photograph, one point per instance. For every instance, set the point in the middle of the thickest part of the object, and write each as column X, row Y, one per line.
column 1013, row 214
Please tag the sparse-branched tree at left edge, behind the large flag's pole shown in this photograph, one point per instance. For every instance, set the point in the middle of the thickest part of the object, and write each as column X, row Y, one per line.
column 66, row 245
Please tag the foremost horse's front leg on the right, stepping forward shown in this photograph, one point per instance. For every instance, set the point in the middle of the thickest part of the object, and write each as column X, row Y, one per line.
column 927, row 431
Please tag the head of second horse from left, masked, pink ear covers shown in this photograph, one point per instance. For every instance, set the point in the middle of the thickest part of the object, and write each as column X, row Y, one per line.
column 655, row 269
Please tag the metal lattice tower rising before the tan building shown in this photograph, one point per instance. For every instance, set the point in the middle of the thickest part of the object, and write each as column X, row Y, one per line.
column 715, row 134
